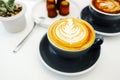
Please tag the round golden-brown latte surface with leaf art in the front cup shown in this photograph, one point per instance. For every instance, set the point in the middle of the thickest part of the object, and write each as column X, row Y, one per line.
column 71, row 34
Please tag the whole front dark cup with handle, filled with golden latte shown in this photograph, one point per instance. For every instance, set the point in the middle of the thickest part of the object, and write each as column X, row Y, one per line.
column 80, row 39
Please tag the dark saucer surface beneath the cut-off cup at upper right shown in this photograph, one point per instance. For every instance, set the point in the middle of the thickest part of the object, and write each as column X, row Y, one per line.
column 114, row 28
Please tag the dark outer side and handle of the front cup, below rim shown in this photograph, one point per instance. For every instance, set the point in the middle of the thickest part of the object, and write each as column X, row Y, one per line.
column 76, row 54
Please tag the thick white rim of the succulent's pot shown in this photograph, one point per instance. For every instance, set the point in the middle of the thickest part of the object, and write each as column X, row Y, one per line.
column 15, row 16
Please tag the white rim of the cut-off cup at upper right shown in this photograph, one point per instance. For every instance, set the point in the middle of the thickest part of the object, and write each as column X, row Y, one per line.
column 109, row 14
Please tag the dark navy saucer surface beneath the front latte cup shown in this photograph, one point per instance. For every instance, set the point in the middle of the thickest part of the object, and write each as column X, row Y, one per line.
column 67, row 65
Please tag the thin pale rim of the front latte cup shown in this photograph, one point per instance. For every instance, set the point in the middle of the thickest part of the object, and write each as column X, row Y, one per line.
column 74, row 50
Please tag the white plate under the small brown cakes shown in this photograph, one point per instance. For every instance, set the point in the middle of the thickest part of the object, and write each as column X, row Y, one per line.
column 40, row 10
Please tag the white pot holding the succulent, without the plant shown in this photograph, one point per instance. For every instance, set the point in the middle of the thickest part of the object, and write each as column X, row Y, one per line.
column 17, row 22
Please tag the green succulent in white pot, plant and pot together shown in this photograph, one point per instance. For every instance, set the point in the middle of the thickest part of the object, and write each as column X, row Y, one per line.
column 12, row 15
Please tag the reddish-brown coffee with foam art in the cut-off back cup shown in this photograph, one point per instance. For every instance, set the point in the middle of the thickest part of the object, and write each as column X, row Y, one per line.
column 107, row 6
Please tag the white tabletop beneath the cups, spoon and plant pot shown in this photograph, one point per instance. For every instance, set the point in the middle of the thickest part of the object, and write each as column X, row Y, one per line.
column 26, row 63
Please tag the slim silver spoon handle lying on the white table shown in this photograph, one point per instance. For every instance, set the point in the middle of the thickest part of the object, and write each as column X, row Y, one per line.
column 18, row 47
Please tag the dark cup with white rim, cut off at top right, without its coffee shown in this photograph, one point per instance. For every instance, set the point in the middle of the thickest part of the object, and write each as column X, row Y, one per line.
column 103, row 18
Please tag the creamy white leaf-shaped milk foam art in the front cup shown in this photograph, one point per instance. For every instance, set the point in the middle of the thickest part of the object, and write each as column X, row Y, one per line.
column 70, row 32
